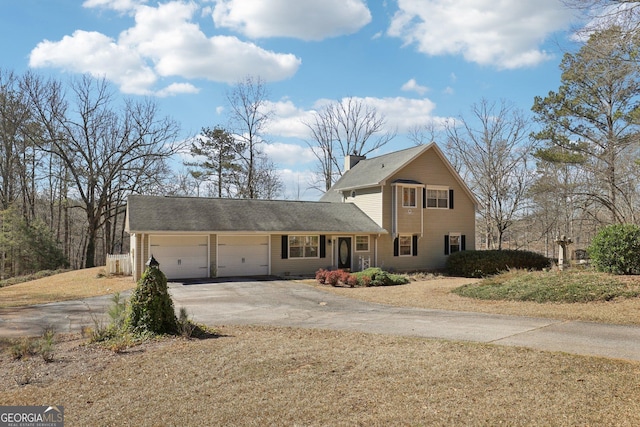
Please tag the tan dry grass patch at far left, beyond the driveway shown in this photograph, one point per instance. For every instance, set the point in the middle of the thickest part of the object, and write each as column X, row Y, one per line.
column 71, row 285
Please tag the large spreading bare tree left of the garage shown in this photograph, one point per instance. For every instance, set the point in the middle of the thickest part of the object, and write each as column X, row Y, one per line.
column 107, row 147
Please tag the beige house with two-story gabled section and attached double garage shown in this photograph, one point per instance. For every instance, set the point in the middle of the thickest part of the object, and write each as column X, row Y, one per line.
column 406, row 210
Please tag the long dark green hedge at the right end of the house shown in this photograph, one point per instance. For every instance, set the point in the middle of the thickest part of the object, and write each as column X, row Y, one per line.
column 487, row 263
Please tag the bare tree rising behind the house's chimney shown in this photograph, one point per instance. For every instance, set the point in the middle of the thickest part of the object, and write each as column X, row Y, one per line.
column 341, row 128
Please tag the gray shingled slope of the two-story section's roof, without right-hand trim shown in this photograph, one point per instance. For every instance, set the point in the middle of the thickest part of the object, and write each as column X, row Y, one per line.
column 372, row 172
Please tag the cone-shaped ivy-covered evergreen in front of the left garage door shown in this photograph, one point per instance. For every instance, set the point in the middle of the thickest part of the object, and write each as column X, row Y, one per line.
column 151, row 305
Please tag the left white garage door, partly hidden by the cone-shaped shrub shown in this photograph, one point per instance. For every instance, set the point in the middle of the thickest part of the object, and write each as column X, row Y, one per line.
column 181, row 257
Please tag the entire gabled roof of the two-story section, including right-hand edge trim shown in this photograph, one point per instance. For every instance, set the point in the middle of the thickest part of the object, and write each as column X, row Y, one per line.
column 375, row 171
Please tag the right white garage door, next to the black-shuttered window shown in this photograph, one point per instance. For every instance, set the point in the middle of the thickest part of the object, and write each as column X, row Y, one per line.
column 243, row 256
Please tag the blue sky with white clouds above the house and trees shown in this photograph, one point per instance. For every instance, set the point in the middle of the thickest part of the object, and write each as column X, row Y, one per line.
column 415, row 61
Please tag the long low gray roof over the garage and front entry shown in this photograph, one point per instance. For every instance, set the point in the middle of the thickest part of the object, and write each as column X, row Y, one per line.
column 190, row 214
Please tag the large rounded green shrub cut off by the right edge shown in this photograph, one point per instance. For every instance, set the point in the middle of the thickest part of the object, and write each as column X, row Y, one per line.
column 616, row 249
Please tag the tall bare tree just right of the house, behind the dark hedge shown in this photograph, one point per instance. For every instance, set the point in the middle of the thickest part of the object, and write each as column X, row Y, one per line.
column 493, row 147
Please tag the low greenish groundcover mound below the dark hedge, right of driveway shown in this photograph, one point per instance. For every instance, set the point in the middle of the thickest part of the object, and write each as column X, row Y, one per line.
column 572, row 286
